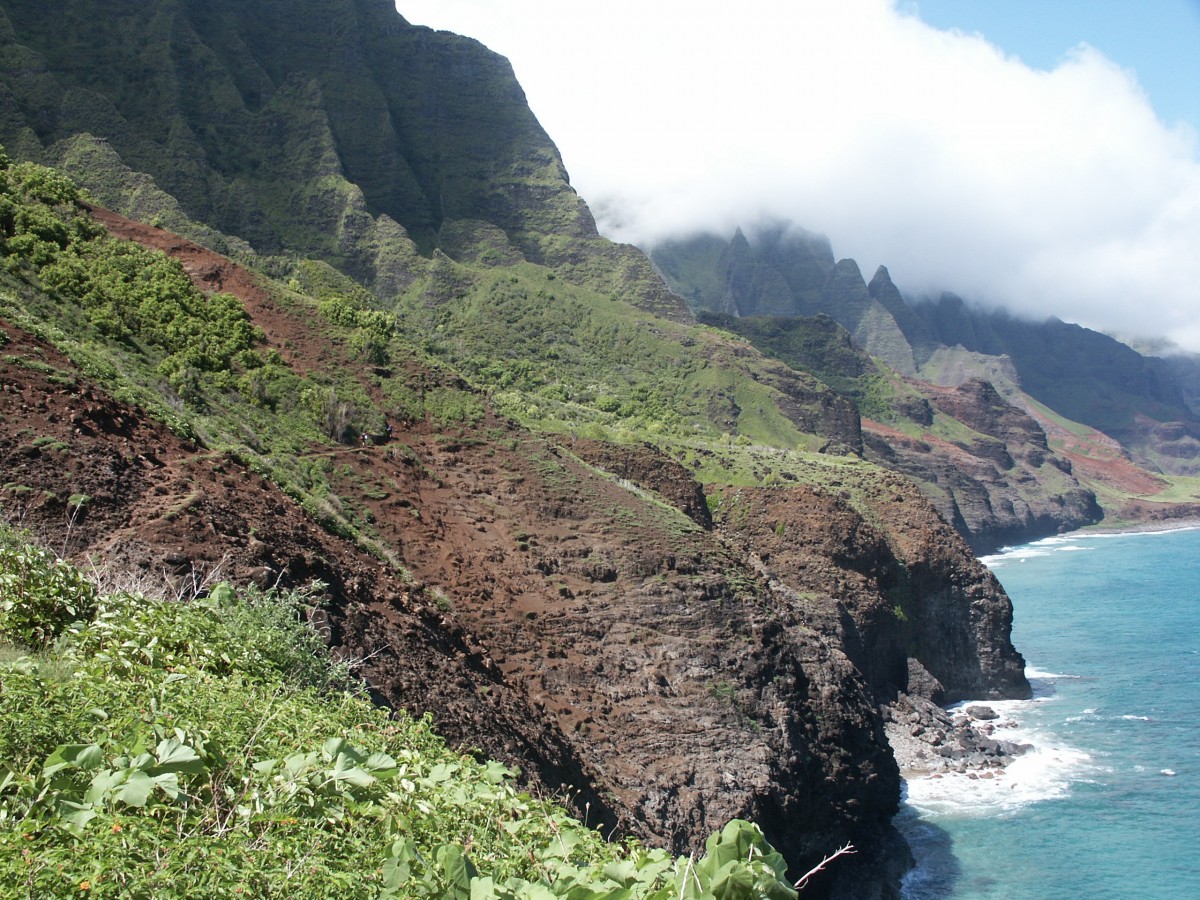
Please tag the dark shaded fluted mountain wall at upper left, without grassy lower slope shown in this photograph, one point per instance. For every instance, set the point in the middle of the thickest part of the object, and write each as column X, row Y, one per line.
column 333, row 130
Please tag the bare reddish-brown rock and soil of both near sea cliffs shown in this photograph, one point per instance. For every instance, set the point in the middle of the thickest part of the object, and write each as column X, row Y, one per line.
column 567, row 608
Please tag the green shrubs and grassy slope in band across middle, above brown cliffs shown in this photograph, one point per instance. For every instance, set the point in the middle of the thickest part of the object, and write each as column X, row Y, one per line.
column 549, row 353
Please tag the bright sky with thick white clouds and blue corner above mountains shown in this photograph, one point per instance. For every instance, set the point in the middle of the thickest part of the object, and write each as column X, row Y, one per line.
column 1036, row 155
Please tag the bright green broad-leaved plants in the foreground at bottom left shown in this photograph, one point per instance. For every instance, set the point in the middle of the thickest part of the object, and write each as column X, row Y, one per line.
column 209, row 749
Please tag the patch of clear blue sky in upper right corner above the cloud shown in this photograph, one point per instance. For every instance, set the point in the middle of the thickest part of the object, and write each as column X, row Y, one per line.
column 1157, row 39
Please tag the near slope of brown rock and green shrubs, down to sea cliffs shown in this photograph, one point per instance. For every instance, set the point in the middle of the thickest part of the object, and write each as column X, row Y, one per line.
column 563, row 607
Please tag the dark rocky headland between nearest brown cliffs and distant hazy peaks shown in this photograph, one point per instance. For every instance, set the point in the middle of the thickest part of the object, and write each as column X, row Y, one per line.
column 983, row 463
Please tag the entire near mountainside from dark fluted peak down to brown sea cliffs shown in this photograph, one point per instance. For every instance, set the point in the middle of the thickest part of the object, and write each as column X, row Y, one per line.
column 589, row 536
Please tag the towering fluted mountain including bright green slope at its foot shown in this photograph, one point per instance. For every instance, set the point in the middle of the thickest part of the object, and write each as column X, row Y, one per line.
column 409, row 163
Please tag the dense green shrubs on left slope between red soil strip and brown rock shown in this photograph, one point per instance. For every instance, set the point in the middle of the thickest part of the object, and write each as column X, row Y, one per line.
column 131, row 320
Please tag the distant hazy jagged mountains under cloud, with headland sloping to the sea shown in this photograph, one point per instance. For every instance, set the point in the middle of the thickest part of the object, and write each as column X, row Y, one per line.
column 1015, row 429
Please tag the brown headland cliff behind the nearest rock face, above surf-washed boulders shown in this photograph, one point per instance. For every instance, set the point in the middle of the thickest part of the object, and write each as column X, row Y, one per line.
column 886, row 579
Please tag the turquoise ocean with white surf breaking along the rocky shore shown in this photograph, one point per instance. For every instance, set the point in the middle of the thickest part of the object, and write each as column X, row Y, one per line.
column 1107, row 805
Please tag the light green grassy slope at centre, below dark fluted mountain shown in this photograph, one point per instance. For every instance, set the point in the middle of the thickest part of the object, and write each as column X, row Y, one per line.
column 563, row 358
